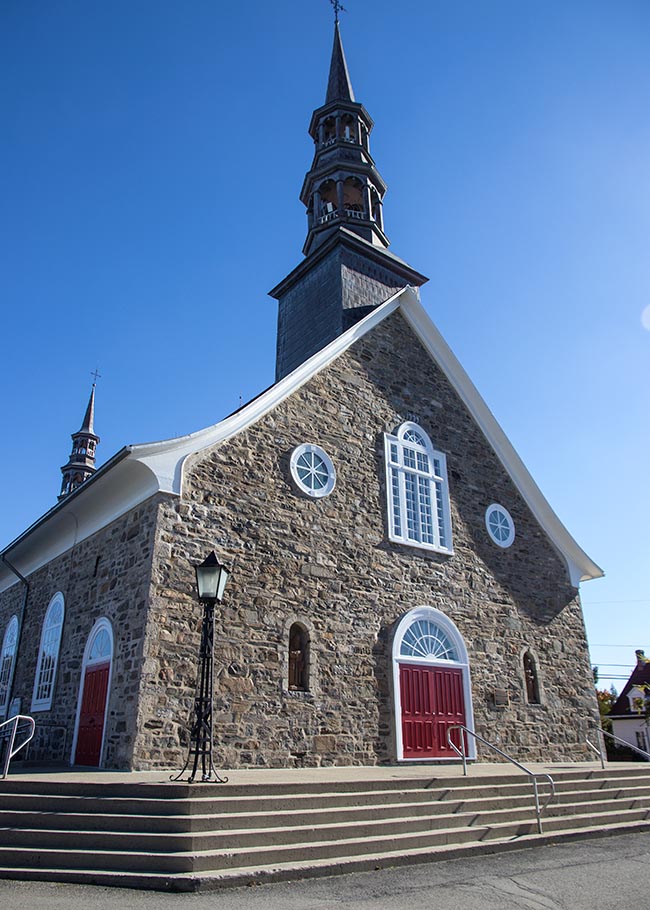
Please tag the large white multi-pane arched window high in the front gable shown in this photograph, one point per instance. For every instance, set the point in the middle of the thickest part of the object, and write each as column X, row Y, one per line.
column 418, row 492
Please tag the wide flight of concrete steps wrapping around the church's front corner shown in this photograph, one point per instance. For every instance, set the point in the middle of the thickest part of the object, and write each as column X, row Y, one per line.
column 181, row 837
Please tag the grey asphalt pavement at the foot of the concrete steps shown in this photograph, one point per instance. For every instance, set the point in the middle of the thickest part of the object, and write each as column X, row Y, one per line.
column 610, row 873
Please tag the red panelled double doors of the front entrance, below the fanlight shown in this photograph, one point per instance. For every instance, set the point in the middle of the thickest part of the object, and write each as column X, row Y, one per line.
column 432, row 700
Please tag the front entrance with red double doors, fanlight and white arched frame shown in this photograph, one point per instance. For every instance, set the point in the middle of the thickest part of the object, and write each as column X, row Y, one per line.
column 431, row 685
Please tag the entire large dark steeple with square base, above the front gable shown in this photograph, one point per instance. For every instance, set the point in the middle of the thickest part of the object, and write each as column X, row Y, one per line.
column 348, row 269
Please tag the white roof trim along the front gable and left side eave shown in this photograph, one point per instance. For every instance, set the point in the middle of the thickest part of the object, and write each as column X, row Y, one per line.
column 164, row 460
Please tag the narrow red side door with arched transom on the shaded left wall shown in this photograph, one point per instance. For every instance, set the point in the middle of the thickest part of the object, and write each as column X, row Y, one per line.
column 93, row 695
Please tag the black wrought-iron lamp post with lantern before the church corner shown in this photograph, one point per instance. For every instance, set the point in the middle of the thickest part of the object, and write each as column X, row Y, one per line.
column 211, row 578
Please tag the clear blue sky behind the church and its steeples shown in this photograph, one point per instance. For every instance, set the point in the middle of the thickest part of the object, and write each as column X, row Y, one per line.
column 151, row 160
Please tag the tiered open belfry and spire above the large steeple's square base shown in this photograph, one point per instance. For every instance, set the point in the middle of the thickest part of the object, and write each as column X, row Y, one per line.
column 343, row 186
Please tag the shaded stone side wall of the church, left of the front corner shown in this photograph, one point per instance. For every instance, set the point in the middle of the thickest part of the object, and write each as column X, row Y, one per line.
column 108, row 575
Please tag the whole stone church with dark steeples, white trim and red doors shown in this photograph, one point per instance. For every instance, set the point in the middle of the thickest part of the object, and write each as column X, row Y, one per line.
column 394, row 567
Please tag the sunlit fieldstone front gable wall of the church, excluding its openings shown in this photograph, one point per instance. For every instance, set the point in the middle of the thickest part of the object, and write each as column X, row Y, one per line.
column 328, row 564
